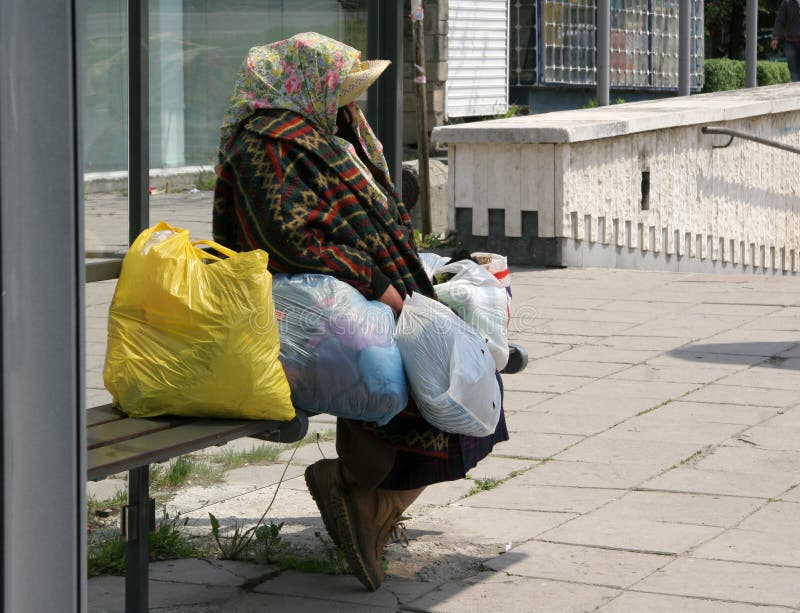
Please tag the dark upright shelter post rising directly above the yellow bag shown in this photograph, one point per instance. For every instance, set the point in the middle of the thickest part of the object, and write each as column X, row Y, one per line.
column 138, row 119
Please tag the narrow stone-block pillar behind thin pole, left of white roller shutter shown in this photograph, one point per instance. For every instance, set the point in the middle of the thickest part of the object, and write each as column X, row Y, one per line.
column 435, row 28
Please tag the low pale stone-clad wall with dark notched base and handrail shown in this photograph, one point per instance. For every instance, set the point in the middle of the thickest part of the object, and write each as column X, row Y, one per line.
column 634, row 185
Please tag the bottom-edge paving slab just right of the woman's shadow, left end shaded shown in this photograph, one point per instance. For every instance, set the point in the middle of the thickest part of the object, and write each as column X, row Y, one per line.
column 502, row 594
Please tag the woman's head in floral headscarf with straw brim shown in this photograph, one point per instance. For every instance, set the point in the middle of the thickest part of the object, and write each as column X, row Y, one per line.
column 309, row 73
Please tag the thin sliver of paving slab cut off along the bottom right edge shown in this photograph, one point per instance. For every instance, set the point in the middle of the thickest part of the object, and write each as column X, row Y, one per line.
column 660, row 603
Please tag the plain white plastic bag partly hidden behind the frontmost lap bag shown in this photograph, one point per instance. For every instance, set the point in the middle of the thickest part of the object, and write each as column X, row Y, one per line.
column 480, row 300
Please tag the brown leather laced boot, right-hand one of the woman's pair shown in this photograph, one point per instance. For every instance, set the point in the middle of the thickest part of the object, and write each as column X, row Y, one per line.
column 365, row 519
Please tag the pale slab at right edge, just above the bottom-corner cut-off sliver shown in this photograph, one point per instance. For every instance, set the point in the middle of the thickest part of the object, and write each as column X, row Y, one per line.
column 732, row 581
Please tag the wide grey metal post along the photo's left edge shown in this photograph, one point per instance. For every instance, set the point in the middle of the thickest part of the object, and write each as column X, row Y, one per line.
column 42, row 364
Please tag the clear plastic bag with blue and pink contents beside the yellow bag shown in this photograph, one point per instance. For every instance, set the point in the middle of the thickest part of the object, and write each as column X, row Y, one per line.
column 338, row 349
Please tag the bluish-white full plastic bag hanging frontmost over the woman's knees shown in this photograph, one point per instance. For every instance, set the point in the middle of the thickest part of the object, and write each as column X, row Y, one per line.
column 450, row 370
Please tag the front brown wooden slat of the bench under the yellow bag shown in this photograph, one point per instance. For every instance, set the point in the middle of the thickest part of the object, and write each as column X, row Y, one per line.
column 162, row 445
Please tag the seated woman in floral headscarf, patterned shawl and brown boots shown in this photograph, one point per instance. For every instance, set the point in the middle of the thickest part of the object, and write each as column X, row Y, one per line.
column 303, row 177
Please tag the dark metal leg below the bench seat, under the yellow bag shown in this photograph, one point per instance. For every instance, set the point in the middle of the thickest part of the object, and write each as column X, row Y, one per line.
column 136, row 531
